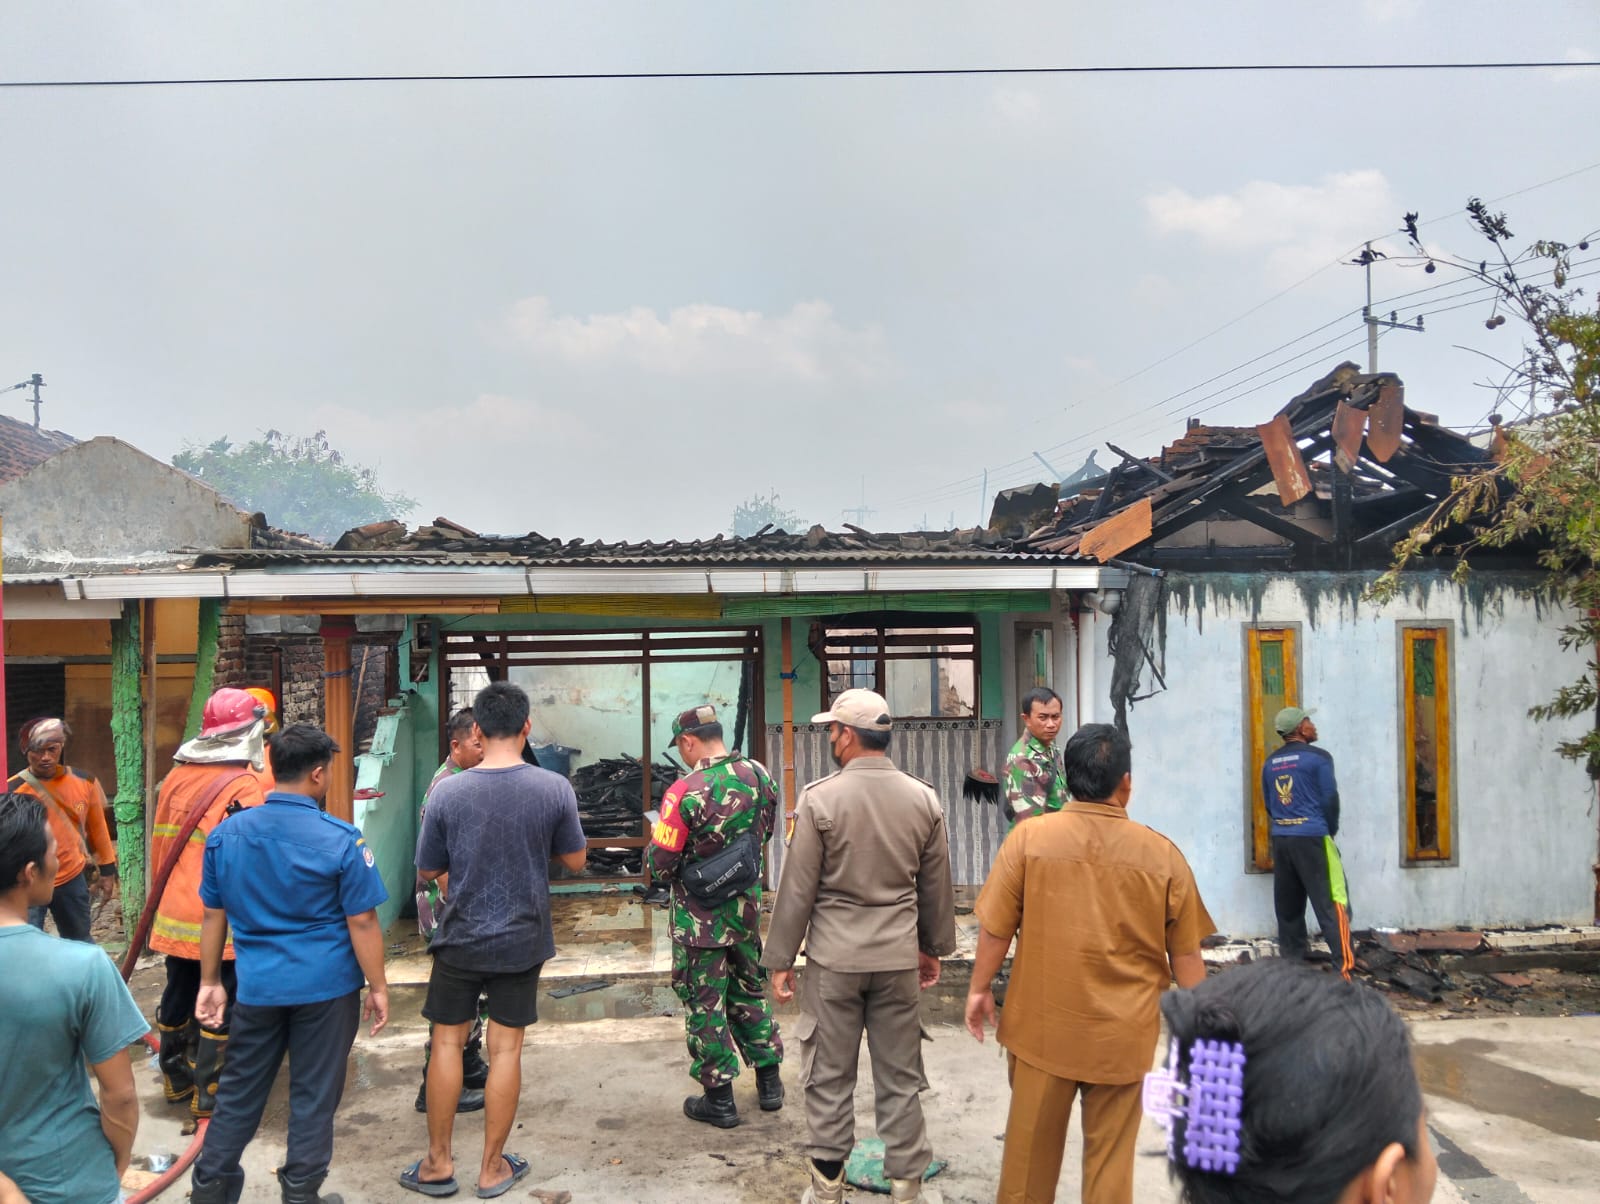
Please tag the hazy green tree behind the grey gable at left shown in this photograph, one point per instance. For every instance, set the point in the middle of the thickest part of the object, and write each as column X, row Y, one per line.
column 302, row 484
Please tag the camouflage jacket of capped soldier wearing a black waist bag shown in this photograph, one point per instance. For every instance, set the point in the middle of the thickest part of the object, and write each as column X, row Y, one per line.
column 700, row 816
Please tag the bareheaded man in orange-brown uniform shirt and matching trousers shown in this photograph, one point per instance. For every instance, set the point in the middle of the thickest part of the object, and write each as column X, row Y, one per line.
column 1106, row 915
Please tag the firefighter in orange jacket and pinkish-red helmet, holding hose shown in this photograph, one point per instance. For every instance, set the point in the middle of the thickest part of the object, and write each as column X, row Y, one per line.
column 212, row 774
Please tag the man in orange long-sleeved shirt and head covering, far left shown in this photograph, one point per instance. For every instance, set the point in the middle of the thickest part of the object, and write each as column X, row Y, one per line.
column 78, row 814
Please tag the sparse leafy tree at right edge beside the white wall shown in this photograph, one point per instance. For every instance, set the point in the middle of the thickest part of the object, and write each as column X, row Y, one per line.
column 1545, row 484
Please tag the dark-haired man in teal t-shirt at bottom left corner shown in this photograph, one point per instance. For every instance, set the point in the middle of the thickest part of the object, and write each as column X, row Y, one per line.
column 63, row 1006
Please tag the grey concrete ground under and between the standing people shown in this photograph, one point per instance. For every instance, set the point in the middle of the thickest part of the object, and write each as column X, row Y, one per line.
column 1514, row 1102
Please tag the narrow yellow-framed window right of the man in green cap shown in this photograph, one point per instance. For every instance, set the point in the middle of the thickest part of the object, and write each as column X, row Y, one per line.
column 1426, row 744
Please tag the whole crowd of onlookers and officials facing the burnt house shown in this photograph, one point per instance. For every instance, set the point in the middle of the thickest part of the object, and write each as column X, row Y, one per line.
column 1281, row 1083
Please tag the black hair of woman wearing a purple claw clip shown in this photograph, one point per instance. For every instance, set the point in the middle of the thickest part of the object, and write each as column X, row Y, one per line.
column 1329, row 1082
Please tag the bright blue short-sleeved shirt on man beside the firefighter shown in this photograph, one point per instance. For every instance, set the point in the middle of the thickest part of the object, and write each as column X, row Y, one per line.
column 289, row 875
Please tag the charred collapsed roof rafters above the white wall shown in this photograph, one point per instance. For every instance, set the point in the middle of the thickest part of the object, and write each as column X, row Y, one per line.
column 1348, row 502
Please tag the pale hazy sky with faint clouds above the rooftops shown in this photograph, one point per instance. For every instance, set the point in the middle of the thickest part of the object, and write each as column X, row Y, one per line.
column 620, row 308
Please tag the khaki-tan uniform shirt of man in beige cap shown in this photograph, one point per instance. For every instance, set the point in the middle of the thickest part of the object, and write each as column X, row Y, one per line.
column 866, row 878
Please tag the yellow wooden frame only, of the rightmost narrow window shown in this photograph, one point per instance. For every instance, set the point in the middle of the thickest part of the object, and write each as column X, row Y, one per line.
column 1449, row 845
